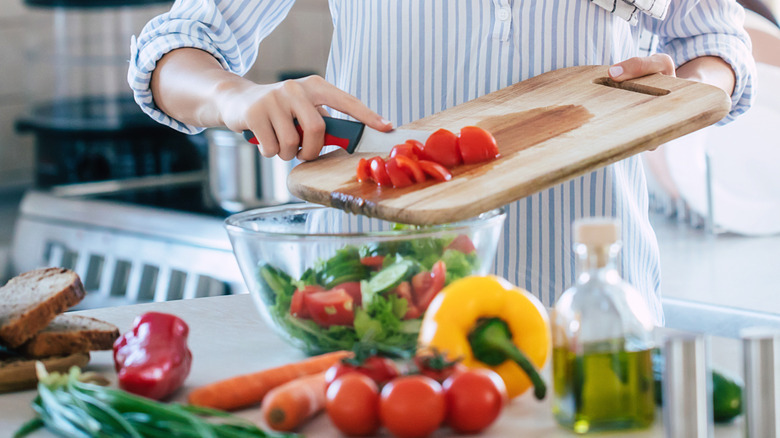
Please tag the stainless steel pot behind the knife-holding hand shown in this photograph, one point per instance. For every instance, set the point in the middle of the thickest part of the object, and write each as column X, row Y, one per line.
column 240, row 178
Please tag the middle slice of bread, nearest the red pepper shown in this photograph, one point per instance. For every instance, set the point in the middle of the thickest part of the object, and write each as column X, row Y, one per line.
column 69, row 334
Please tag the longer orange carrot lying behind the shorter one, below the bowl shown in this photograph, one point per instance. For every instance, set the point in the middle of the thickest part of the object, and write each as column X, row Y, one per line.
column 240, row 391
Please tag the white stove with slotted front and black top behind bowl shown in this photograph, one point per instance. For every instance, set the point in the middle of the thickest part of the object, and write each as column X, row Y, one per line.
column 130, row 244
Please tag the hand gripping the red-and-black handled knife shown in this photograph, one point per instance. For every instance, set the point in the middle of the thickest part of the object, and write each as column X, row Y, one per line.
column 268, row 111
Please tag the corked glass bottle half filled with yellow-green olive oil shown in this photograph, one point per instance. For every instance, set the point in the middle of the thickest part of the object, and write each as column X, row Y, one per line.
column 602, row 341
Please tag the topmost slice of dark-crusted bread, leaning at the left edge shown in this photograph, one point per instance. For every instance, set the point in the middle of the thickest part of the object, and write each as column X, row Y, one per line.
column 30, row 301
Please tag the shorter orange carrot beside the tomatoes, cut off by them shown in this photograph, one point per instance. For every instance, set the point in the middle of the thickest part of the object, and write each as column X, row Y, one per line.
column 288, row 406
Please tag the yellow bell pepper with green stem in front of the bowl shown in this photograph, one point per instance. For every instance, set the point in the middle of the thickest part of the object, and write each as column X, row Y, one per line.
column 489, row 323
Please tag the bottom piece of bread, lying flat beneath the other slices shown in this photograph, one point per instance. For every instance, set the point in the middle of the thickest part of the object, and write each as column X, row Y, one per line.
column 18, row 373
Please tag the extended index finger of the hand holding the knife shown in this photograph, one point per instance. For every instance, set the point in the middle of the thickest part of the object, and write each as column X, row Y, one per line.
column 324, row 93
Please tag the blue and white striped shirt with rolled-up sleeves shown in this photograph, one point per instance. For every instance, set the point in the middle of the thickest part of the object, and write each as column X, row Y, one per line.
column 407, row 59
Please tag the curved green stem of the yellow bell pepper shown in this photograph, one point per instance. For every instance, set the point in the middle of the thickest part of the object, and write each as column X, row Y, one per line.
column 491, row 343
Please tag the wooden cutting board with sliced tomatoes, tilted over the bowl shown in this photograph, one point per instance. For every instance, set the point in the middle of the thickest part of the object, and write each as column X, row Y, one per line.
column 549, row 129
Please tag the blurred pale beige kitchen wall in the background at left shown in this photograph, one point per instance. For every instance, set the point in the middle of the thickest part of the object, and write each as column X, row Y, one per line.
column 300, row 43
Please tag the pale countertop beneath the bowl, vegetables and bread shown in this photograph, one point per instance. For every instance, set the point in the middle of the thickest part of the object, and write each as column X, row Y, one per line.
column 228, row 337
